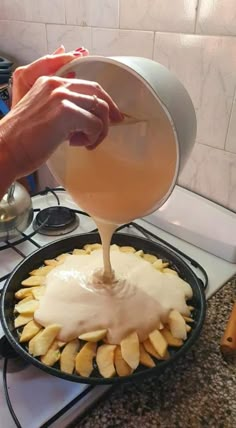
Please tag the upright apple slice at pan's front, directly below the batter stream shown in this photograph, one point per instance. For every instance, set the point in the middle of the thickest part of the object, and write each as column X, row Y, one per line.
column 105, row 360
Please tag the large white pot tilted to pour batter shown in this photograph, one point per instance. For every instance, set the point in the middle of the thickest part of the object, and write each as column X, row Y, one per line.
column 148, row 93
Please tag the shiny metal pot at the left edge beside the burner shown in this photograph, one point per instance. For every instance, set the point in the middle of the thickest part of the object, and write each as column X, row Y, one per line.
column 16, row 212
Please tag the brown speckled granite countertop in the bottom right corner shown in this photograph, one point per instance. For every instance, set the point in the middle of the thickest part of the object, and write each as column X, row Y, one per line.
column 199, row 391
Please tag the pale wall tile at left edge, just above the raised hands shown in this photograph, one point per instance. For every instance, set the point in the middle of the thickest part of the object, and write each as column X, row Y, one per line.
column 23, row 41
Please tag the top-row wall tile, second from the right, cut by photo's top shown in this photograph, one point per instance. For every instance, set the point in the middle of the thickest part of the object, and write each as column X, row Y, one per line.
column 159, row 15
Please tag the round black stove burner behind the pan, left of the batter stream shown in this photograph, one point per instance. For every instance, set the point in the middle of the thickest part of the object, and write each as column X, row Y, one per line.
column 55, row 221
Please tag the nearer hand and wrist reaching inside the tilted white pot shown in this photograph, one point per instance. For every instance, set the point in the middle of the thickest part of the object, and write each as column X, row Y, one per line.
column 55, row 109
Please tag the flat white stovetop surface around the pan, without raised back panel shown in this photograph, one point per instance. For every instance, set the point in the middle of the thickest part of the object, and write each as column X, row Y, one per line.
column 56, row 402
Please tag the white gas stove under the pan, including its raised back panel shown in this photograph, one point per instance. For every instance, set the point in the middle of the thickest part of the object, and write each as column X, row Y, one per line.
column 201, row 232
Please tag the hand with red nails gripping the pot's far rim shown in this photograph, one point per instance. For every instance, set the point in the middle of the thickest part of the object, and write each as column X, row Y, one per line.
column 24, row 77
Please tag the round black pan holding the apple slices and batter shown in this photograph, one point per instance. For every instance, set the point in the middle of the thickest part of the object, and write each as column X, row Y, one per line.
column 52, row 250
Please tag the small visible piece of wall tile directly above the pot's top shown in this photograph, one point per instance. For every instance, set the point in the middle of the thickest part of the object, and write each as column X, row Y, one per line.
column 122, row 42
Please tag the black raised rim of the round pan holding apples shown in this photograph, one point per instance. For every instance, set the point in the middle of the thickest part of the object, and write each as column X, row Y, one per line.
column 161, row 366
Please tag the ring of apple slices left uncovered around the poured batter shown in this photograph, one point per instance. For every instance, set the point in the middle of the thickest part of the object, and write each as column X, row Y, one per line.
column 79, row 355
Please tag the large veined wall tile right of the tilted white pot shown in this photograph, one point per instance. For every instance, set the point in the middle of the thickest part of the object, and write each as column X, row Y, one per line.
column 207, row 67
